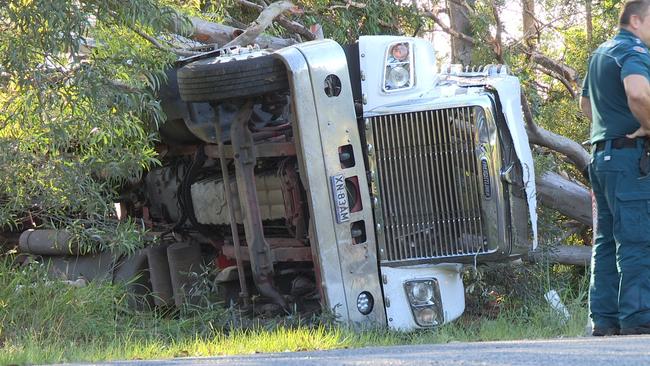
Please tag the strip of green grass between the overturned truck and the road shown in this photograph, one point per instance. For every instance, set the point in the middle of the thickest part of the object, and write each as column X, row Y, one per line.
column 46, row 322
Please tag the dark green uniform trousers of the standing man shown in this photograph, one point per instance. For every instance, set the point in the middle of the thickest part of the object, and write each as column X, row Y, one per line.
column 619, row 291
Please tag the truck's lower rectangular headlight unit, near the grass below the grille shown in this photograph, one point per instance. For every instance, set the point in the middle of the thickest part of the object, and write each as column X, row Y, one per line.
column 426, row 303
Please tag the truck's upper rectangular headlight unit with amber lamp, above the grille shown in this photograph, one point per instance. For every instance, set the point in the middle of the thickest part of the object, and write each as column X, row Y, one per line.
column 398, row 71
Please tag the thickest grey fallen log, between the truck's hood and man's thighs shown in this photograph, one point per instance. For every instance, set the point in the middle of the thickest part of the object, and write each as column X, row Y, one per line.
column 567, row 197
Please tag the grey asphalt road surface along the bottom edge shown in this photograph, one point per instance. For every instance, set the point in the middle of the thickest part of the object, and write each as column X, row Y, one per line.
column 614, row 351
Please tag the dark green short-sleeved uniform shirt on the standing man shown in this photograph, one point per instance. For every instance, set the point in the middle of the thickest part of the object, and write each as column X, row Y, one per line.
column 610, row 63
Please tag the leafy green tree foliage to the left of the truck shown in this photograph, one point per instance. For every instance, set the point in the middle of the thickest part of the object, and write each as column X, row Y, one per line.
column 77, row 108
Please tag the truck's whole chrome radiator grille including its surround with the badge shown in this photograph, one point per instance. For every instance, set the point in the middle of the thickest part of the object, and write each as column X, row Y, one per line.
column 432, row 203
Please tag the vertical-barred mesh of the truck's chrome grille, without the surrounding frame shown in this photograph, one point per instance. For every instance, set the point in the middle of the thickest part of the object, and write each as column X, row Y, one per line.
column 429, row 185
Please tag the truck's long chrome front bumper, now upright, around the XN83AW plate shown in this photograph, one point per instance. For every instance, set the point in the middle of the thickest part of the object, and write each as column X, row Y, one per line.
column 322, row 124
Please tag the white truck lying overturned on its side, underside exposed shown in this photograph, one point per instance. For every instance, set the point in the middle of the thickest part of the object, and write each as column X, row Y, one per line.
column 358, row 178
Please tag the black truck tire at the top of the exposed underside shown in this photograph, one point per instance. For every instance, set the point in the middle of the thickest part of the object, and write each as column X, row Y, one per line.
column 217, row 79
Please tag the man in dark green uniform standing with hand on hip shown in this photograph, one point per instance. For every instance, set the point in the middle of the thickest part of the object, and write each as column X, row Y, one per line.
column 616, row 97
